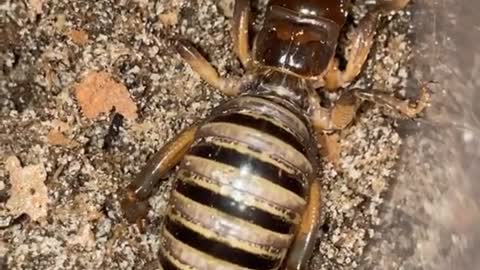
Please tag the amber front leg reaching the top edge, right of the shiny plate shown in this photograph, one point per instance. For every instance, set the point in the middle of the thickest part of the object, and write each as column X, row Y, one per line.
column 361, row 44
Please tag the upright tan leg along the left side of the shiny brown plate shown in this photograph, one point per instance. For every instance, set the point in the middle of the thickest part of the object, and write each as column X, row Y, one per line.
column 241, row 23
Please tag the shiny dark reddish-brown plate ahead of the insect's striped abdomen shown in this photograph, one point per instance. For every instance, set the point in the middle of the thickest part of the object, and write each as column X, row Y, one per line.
column 300, row 37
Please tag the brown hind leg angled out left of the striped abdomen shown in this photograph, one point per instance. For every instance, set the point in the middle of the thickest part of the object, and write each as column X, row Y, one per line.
column 134, row 203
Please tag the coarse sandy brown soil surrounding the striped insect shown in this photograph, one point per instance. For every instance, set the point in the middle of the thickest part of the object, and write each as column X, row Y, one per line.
column 49, row 48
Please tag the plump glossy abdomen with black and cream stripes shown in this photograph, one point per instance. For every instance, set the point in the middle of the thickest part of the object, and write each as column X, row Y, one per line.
column 240, row 190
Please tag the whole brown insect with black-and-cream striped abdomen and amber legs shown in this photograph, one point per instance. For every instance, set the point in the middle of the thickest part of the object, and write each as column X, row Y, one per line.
column 247, row 194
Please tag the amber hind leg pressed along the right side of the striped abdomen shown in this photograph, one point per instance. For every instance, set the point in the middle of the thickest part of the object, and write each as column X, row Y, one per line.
column 303, row 244
